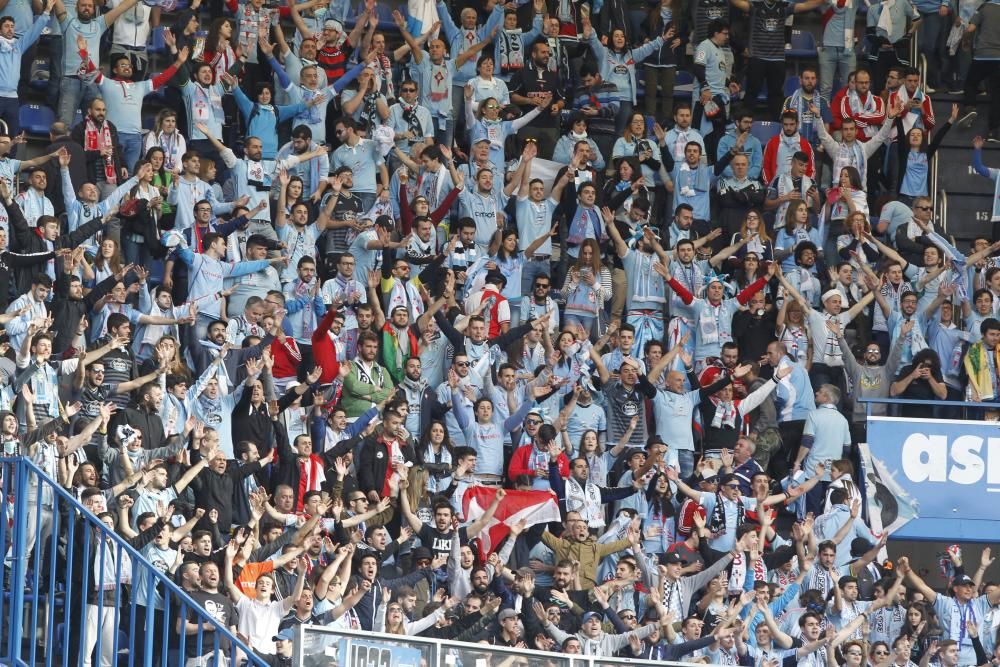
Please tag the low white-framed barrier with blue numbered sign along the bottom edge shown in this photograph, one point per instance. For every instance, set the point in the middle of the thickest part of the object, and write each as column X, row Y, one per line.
column 316, row 645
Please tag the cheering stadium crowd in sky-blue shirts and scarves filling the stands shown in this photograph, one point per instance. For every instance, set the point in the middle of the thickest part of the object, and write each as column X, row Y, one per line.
column 374, row 279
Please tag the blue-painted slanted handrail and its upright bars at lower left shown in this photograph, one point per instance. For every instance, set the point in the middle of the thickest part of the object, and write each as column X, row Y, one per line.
column 22, row 469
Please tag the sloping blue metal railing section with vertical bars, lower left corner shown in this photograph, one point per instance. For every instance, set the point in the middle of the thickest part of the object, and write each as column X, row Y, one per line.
column 75, row 589
